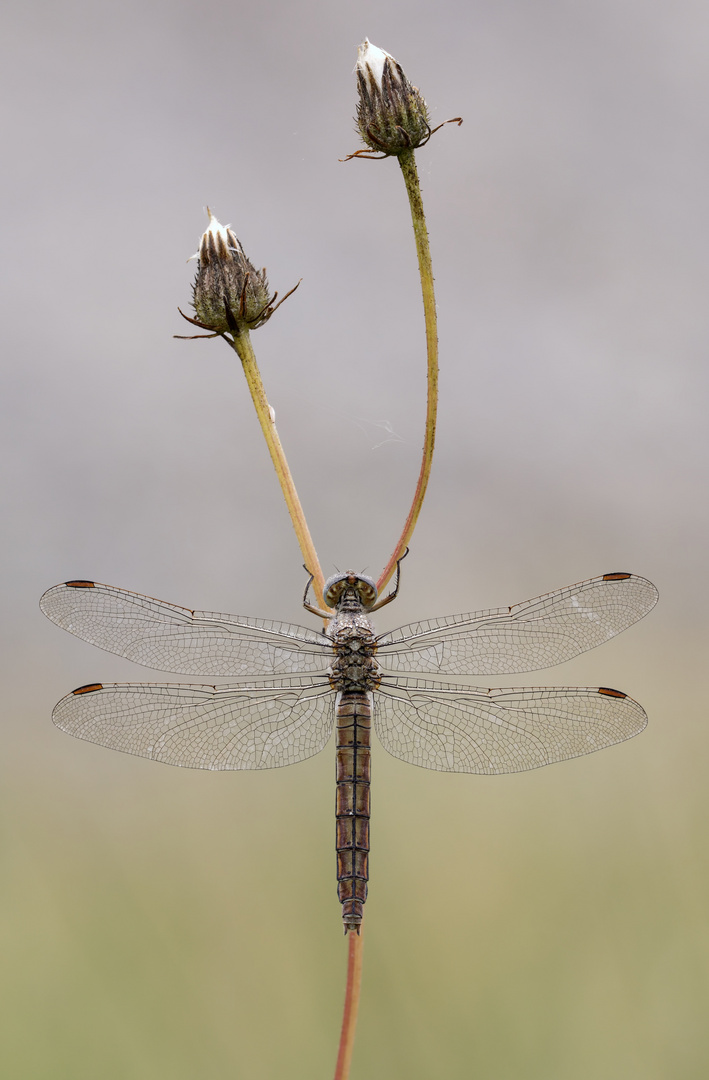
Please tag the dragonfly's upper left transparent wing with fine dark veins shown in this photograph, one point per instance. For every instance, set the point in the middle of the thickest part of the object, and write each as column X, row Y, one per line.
column 173, row 639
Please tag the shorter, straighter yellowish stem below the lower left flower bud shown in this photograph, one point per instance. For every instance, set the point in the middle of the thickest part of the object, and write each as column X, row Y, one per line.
column 244, row 347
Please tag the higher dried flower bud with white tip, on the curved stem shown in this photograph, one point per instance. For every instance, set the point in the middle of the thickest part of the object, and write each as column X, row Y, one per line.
column 392, row 115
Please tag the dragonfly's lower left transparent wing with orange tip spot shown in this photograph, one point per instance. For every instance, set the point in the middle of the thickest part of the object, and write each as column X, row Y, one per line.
column 205, row 727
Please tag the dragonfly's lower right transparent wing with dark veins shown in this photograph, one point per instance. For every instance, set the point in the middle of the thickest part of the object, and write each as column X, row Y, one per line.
column 462, row 730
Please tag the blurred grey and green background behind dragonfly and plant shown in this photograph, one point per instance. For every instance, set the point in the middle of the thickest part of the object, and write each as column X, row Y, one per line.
column 165, row 923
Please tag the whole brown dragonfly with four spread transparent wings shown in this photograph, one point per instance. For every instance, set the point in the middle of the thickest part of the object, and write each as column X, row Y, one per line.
column 297, row 685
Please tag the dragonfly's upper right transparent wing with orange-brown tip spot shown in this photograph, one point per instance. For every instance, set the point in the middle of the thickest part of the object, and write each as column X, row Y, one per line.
column 539, row 633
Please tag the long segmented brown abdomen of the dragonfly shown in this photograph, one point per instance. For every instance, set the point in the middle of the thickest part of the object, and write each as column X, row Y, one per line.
column 353, row 804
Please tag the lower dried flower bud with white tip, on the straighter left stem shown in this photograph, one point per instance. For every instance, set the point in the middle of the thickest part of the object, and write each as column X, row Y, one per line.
column 229, row 291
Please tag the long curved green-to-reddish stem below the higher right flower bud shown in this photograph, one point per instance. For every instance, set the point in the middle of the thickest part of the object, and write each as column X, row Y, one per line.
column 426, row 272
